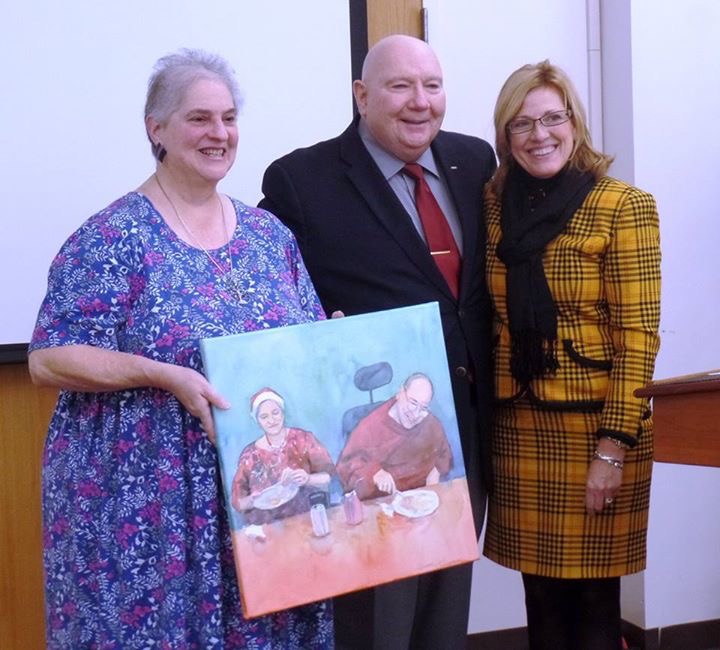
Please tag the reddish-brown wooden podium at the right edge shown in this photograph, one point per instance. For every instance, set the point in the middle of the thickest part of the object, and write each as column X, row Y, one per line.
column 686, row 411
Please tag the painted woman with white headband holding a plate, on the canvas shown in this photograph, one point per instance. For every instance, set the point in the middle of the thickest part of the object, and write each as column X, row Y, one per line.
column 277, row 472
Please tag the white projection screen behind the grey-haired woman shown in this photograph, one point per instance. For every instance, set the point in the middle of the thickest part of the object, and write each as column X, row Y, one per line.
column 71, row 116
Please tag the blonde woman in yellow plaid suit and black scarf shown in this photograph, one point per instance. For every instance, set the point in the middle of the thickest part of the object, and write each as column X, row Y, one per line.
column 573, row 267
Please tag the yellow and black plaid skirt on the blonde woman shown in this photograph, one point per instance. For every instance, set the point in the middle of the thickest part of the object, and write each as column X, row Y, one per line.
column 536, row 517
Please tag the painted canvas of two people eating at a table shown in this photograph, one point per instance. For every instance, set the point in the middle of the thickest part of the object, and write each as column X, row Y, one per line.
column 340, row 455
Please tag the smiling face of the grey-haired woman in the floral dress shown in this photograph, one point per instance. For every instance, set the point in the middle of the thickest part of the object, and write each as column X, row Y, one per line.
column 201, row 135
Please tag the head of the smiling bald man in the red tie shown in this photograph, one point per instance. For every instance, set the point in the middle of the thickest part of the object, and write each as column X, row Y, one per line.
column 401, row 96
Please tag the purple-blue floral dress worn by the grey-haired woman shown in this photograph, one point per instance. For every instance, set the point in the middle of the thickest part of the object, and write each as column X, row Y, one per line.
column 136, row 542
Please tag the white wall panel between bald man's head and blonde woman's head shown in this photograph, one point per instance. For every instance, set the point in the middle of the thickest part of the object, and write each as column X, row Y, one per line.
column 480, row 43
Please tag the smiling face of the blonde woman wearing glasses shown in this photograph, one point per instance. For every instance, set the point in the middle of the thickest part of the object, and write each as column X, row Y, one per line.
column 543, row 151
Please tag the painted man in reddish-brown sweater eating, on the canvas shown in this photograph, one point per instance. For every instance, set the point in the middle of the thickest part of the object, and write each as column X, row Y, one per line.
column 399, row 446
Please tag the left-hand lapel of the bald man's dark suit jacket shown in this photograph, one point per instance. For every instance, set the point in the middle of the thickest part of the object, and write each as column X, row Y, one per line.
column 384, row 204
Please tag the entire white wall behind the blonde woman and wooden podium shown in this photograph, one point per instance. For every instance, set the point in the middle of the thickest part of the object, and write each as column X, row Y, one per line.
column 660, row 105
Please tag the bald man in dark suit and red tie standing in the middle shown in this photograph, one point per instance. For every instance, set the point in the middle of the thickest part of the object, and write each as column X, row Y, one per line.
column 352, row 208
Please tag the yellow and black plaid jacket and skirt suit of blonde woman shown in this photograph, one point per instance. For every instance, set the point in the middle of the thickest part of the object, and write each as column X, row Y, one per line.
column 604, row 274
